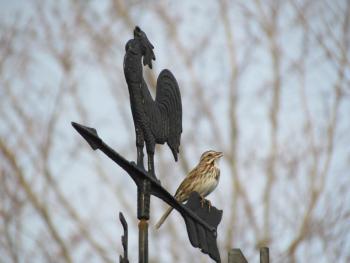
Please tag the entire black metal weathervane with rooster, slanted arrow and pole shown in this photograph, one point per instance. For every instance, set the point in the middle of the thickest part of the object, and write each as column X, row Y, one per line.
column 156, row 121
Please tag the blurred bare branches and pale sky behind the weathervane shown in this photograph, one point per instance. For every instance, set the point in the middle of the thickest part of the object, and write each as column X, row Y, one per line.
column 266, row 82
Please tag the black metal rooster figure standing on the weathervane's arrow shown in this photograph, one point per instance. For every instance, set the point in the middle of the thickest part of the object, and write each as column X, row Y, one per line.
column 156, row 121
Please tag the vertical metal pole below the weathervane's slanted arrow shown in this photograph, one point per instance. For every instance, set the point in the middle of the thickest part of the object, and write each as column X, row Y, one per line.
column 143, row 204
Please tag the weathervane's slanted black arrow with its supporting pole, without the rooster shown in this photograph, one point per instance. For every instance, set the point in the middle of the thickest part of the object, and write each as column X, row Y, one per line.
column 201, row 222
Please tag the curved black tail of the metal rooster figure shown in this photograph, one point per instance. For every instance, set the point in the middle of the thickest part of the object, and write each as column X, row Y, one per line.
column 169, row 100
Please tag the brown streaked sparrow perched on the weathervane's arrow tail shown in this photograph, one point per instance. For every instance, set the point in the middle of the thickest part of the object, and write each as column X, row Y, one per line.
column 203, row 179
